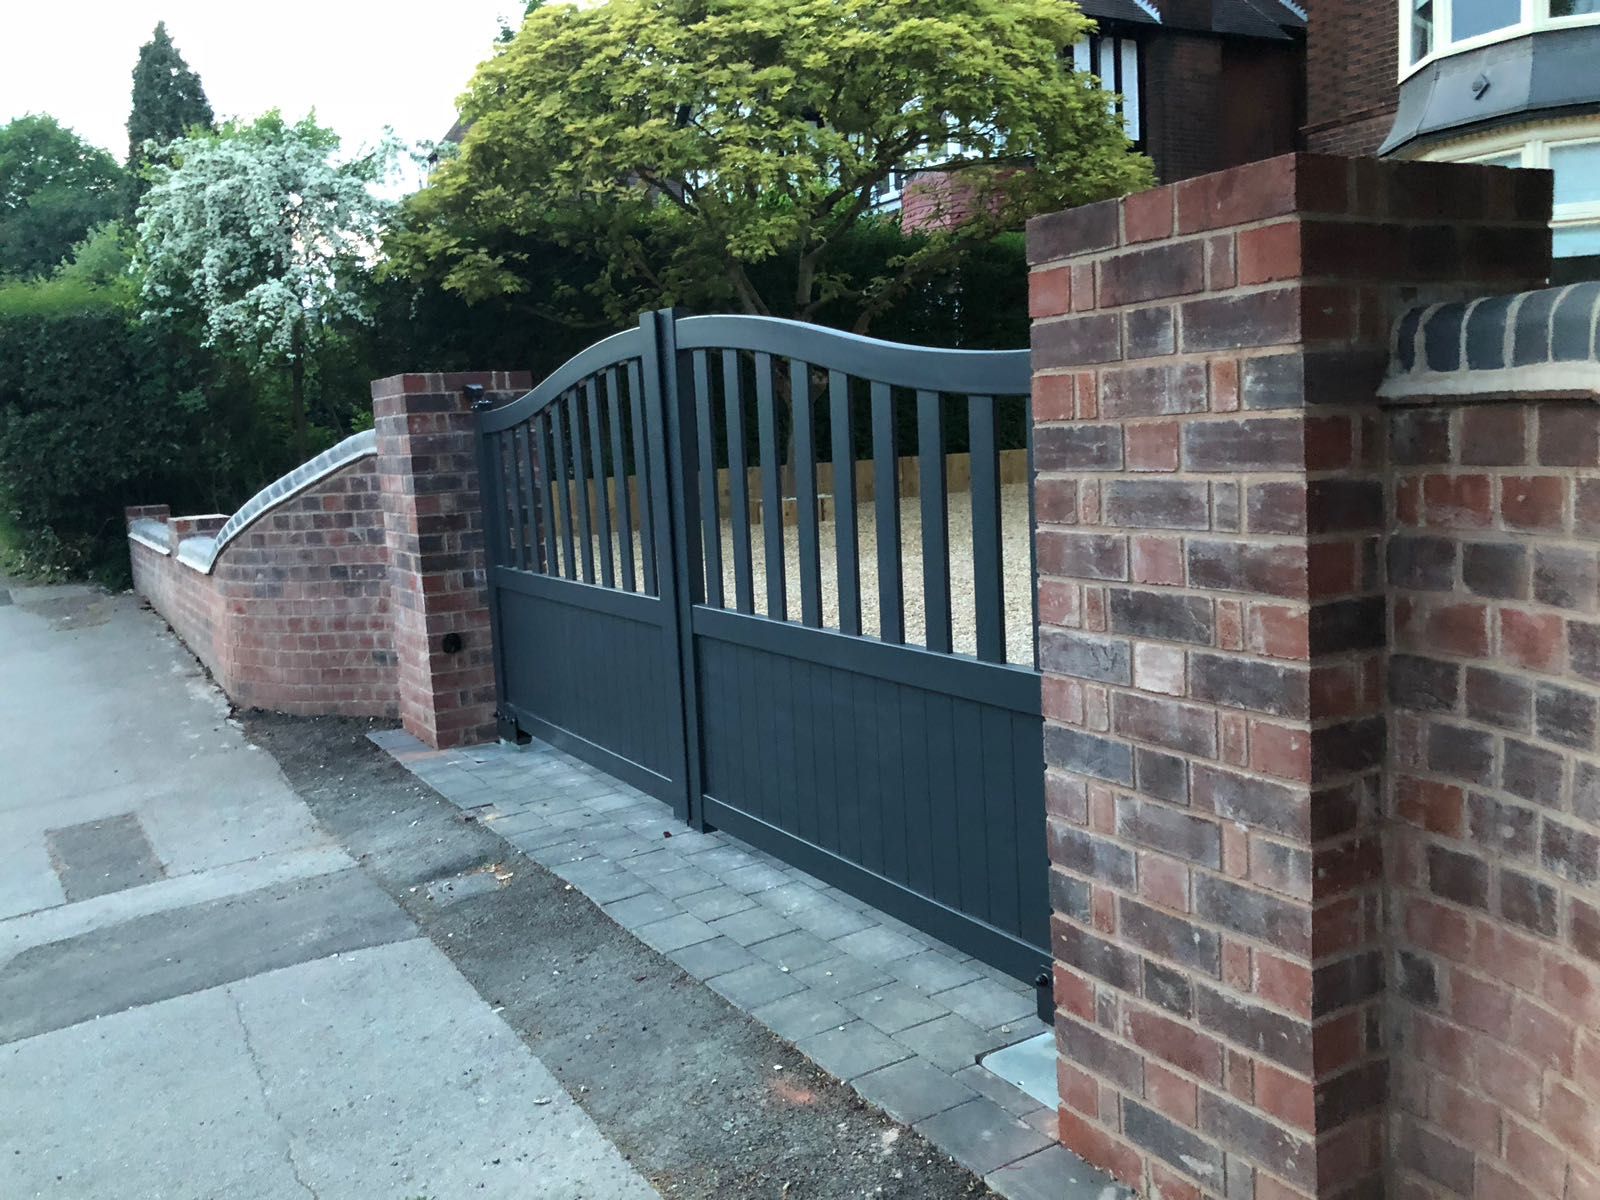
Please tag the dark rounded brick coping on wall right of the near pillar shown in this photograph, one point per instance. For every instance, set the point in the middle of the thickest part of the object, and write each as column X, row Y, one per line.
column 1530, row 345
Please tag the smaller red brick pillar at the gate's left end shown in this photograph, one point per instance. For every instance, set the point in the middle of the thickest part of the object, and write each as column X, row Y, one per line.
column 434, row 527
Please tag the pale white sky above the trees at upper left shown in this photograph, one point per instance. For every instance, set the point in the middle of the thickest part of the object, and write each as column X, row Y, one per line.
column 362, row 65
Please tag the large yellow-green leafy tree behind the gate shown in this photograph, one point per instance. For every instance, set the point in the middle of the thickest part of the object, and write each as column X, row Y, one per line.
column 690, row 146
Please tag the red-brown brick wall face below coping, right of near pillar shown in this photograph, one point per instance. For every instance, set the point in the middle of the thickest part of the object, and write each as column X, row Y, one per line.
column 1495, row 799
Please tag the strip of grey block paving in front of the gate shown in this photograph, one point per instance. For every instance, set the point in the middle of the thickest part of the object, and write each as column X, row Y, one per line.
column 894, row 1012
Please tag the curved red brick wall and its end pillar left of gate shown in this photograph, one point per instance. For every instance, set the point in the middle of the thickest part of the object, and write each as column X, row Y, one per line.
column 362, row 594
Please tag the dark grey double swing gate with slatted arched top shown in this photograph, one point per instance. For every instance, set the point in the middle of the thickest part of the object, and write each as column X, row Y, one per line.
column 721, row 574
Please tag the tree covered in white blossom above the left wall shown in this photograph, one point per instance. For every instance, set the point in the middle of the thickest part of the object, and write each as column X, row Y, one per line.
column 260, row 234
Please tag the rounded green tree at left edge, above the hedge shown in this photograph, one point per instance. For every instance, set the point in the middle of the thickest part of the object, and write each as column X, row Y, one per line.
column 54, row 190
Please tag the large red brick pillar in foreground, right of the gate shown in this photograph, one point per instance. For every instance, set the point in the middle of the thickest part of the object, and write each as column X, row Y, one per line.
column 1212, row 602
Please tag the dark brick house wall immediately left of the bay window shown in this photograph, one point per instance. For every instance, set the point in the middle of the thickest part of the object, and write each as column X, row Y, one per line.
column 1351, row 76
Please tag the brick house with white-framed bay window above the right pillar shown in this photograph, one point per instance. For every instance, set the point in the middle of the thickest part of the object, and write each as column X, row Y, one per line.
column 1497, row 82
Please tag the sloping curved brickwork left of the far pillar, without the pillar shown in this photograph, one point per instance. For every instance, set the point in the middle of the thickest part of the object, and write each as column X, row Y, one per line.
column 295, row 615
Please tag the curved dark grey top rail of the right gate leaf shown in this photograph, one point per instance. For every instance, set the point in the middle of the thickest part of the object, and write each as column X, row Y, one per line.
column 895, row 364
